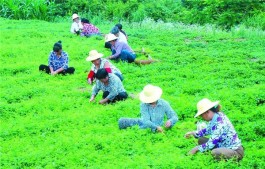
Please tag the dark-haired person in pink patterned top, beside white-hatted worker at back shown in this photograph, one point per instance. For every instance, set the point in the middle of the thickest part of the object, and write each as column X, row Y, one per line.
column 88, row 28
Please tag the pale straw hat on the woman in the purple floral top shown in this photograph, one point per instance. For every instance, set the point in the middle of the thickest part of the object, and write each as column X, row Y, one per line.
column 204, row 105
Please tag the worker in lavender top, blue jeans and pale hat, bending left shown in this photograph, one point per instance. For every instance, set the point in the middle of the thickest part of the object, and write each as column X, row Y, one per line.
column 123, row 51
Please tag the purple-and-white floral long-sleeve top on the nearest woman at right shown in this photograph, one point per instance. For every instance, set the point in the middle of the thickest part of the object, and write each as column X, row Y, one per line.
column 222, row 134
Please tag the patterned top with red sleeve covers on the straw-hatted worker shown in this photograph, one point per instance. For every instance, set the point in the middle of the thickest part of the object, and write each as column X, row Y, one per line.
column 112, row 68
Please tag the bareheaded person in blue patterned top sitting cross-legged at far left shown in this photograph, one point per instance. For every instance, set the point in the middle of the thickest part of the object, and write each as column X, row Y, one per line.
column 58, row 62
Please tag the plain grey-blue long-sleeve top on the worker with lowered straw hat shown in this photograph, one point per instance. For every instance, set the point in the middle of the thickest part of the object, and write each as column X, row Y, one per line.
column 152, row 117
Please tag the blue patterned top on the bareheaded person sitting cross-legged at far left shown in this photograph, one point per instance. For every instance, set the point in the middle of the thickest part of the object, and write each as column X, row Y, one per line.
column 58, row 62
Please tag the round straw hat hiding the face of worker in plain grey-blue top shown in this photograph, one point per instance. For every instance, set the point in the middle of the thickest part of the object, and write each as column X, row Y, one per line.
column 150, row 94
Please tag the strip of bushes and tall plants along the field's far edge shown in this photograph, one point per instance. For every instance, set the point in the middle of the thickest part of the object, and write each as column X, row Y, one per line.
column 223, row 13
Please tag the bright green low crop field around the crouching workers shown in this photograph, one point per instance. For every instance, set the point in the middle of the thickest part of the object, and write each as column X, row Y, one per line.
column 47, row 121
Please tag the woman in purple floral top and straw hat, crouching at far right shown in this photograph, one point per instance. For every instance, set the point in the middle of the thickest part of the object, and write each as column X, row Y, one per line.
column 223, row 141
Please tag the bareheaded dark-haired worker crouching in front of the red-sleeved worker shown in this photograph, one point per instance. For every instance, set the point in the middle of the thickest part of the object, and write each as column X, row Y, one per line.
column 111, row 86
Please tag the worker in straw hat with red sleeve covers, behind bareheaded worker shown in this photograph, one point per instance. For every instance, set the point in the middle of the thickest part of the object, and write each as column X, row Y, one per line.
column 98, row 63
